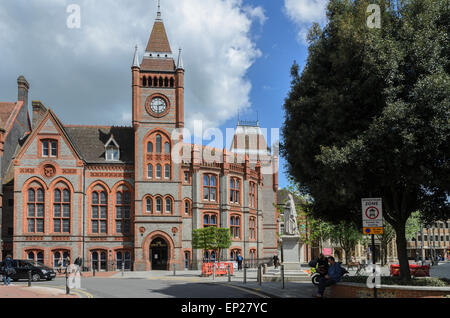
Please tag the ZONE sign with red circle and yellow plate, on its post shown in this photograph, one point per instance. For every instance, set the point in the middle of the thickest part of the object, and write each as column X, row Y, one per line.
column 372, row 213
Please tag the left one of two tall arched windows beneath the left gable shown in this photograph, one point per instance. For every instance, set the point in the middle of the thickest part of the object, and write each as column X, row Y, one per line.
column 35, row 210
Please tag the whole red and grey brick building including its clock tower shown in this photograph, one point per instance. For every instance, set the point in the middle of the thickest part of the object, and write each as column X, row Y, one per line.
column 131, row 196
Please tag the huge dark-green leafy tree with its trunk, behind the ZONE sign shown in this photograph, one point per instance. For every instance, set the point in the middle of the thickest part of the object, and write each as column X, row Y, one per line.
column 370, row 114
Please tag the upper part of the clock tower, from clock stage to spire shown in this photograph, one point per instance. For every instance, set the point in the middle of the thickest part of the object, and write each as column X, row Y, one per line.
column 158, row 83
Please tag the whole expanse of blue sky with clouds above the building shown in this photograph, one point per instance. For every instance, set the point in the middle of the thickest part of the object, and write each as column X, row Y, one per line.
column 237, row 56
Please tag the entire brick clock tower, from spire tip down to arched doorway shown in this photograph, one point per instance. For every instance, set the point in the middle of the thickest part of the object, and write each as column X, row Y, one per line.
column 158, row 109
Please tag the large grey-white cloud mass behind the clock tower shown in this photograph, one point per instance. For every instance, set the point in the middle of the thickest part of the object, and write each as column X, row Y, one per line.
column 84, row 74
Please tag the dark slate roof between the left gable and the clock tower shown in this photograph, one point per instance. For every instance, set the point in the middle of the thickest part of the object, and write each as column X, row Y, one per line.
column 90, row 142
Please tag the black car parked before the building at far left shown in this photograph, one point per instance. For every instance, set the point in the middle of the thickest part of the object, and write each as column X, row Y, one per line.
column 38, row 270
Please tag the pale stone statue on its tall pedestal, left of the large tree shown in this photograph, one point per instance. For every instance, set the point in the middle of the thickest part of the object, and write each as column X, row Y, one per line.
column 291, row 237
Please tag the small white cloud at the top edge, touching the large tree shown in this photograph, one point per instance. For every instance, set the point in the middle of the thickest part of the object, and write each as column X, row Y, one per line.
column 305, row 12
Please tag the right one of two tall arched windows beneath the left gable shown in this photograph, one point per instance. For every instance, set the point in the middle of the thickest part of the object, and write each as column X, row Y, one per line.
column 61, row 211
